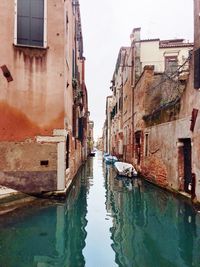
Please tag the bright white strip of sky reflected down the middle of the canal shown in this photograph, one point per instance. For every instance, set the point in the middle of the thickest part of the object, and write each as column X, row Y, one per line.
column 98, row 250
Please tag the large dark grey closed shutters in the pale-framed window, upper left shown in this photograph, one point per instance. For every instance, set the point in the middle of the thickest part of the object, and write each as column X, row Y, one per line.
column 30, row 22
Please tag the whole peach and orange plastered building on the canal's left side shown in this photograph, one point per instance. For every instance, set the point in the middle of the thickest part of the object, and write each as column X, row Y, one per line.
column 43, row 97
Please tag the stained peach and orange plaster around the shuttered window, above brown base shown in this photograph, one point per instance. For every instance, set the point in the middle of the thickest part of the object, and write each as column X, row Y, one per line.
column 33, row 102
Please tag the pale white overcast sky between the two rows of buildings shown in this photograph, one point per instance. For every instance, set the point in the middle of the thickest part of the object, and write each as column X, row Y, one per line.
column 107, row 25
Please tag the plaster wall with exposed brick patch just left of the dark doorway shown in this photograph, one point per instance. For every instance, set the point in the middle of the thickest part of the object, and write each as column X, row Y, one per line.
column 161, row 164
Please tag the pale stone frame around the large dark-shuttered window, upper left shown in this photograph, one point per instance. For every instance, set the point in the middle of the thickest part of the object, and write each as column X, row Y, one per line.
column 44, row 30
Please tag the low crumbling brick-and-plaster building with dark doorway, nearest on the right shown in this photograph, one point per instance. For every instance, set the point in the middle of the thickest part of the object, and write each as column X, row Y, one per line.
column 166, row 126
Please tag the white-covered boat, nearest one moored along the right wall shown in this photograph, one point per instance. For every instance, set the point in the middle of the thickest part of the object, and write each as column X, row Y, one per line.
column 125, row 169
